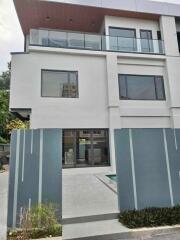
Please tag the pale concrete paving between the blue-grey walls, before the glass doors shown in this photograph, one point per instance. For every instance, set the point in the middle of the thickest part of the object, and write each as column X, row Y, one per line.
column 85, row 195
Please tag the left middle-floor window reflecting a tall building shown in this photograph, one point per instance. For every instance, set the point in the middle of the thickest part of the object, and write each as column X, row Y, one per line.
column 60, row 84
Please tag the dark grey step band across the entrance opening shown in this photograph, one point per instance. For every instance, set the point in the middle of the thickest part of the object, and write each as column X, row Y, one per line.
column 92, row 218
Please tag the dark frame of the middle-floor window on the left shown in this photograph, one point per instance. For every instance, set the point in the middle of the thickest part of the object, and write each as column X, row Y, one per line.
column 60, row 71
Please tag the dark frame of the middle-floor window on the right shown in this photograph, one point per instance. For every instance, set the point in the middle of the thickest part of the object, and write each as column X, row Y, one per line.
column 143, row 99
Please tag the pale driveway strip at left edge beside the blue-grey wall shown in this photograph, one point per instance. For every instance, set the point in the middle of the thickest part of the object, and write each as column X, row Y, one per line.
column 3, row 204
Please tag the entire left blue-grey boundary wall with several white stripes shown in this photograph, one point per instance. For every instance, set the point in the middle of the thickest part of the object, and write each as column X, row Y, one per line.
column 35, row 170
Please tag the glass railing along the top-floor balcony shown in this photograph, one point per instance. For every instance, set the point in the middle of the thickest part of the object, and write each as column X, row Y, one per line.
column 77, row 40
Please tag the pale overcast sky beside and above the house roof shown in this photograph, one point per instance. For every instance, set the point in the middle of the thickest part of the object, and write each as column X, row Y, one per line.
column 11, row 37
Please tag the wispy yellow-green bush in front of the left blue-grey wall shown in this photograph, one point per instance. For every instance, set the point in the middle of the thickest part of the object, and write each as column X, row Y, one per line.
column 38, row 222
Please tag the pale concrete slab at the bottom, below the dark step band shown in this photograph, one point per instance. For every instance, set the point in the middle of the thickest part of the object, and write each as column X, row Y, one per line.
column 97, row 230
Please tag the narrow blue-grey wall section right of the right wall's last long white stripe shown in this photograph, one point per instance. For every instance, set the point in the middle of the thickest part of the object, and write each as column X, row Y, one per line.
column 173, row 142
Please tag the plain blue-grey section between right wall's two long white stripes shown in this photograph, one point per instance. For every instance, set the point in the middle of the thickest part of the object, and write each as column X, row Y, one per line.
column 150, row 168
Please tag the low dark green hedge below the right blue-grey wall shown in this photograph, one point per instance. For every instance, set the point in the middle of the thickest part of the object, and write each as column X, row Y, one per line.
column 151, row 217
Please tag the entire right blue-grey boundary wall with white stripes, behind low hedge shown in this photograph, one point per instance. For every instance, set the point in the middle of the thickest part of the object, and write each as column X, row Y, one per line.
column 148, row 168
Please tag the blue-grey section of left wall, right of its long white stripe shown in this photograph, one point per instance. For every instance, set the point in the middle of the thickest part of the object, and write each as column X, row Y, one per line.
column 52, row 164
